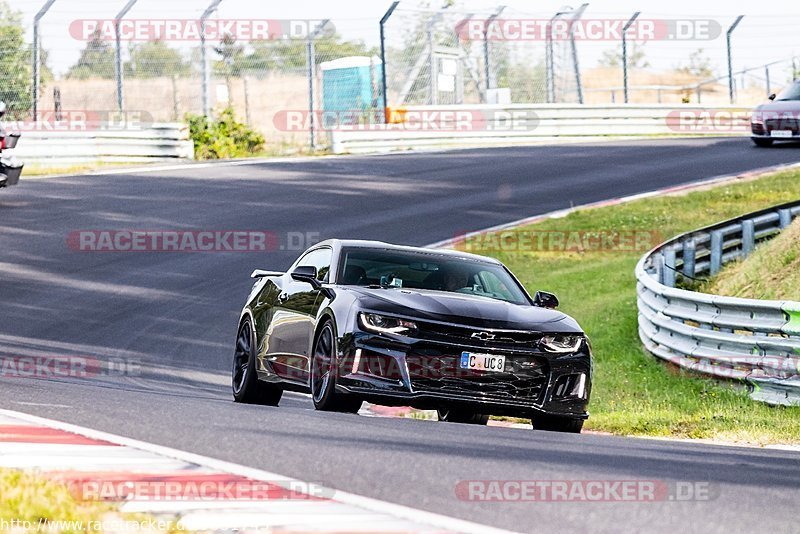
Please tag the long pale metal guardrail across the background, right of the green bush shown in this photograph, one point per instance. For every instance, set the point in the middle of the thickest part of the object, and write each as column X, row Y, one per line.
column 483, row 125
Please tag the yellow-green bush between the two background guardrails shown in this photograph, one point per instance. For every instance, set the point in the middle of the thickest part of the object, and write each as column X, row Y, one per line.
column 224, row 137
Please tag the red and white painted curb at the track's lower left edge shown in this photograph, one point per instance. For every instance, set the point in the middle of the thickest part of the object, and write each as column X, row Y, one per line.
column 195, row 492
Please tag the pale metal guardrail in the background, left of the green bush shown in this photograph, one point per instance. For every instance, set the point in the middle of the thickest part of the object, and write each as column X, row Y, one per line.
column 98, row 145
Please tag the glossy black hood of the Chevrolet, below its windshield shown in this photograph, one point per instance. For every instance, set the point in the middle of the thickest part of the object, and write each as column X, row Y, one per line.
column 467, row 310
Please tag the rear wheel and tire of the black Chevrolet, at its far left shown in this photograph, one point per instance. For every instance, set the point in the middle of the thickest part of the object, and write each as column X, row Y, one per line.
column 247, row 388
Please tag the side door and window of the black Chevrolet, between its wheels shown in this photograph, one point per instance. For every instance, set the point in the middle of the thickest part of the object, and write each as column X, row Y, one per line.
column 291, row 331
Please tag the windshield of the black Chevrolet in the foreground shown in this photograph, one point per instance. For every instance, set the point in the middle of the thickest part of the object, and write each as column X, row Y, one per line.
column 437, row 272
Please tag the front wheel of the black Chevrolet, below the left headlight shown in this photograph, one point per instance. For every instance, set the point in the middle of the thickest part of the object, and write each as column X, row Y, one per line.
column 323, row 375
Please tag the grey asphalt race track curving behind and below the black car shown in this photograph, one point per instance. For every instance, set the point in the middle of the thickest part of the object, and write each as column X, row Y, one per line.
column 176, row 314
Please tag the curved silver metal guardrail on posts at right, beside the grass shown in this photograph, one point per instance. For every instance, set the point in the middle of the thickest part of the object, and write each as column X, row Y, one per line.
column 756, row 341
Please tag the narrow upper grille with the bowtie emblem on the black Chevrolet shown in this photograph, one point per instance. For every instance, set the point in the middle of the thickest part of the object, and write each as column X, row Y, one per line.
column 461, row 335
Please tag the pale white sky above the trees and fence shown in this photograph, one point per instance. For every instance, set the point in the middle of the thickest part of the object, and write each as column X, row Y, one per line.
column 766, row 34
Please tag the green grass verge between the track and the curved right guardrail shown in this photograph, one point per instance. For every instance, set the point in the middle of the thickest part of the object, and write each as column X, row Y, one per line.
column 633, row 392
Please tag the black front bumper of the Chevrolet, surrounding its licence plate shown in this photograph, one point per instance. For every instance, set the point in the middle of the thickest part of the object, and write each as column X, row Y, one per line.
column 426, row 374
